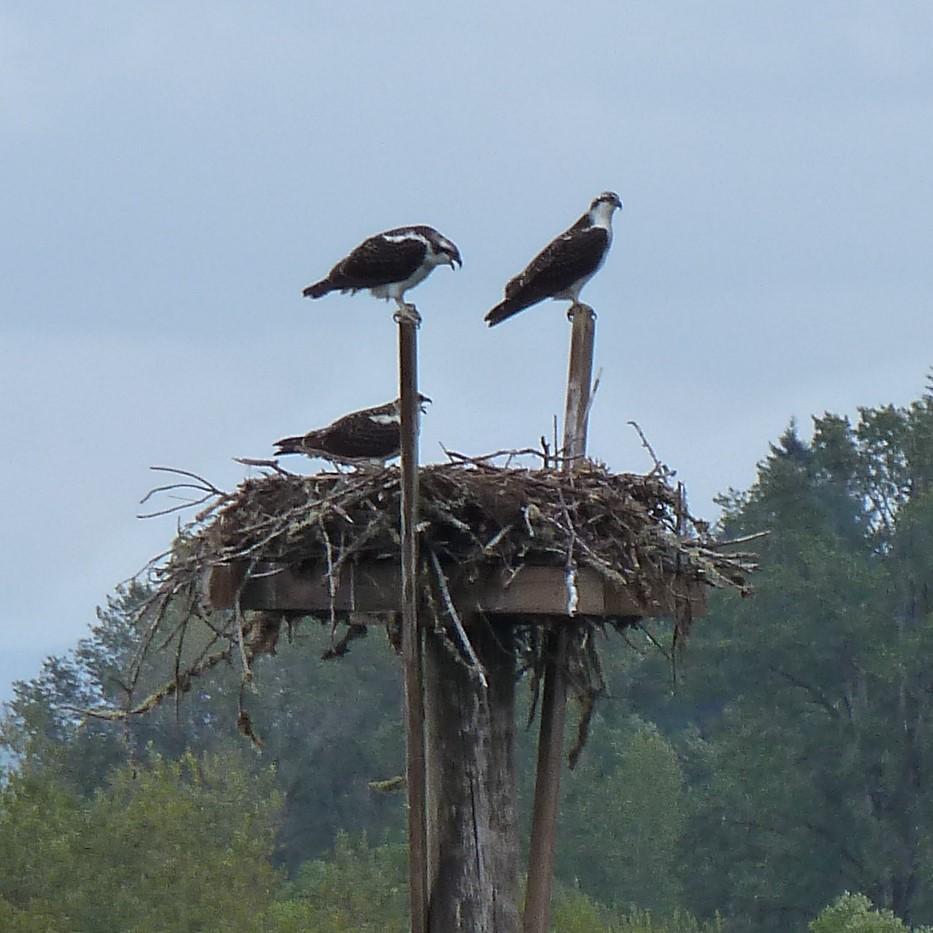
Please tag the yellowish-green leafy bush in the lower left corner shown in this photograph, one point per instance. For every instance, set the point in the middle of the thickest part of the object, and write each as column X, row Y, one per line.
column 173, row 846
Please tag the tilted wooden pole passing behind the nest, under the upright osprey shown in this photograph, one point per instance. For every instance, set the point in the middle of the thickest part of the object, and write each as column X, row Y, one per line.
column 554, row 700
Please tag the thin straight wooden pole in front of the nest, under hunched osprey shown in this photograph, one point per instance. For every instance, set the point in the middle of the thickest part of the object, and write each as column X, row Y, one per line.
column 412, row 655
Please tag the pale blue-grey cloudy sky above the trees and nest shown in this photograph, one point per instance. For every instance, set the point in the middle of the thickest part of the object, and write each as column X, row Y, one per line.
column 173, row 174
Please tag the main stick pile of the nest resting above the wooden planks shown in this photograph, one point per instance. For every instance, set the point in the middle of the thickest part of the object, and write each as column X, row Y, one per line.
column 630, row 528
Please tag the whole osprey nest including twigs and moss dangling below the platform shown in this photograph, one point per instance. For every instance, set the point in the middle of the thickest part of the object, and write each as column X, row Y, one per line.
column 633, row 530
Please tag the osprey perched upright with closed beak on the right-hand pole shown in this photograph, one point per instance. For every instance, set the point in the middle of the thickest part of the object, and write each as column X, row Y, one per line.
column 565, row 265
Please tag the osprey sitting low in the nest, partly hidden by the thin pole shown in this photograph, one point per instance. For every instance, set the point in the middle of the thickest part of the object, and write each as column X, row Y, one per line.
column 370, row 435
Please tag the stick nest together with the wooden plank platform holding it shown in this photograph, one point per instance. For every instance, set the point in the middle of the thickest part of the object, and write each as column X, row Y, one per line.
column 499, row 541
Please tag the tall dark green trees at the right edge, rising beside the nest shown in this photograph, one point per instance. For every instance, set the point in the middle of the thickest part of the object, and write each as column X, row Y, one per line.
column 811, row 776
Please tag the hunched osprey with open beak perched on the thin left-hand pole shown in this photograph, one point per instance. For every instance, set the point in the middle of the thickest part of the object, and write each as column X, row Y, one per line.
column 388, row 264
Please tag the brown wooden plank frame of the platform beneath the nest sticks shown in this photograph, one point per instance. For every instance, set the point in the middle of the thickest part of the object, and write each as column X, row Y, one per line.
column 376, row 588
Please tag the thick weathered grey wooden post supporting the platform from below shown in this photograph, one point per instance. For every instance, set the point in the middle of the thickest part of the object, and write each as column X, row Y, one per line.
column 472, row 807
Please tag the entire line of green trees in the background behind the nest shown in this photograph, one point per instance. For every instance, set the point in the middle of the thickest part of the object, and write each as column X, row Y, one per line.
column 779, row 782
